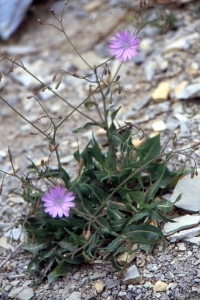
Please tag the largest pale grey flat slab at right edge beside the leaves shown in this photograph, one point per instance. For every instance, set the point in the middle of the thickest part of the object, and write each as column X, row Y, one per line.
column 190, row 200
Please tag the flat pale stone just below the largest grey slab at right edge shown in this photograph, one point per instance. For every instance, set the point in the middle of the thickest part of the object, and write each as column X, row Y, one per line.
column 183, row 222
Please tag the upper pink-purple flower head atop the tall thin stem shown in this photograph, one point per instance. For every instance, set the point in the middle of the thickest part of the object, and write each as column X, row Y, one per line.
column 125, row 45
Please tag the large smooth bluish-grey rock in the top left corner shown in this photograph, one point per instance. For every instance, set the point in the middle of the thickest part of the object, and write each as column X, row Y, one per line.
column 11, row 15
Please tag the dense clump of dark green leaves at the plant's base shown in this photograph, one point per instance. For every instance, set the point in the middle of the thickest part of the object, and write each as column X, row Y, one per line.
column 113, row 208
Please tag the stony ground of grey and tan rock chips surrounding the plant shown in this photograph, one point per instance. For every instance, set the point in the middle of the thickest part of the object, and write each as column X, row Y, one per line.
column 161, row 90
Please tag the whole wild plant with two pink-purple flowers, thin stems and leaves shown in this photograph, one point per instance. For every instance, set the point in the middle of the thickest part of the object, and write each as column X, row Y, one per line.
column 117, row 193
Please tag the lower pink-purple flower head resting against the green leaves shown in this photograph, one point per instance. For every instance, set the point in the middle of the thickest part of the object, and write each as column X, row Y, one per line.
column 58, row 202
